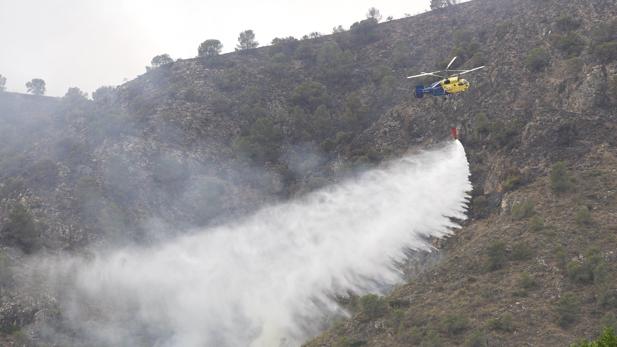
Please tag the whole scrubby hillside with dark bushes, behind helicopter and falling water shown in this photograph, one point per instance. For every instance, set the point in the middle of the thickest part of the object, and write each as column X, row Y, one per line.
column 202, row 141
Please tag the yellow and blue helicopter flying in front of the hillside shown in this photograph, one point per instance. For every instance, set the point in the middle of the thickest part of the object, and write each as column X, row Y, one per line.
column 448, row 85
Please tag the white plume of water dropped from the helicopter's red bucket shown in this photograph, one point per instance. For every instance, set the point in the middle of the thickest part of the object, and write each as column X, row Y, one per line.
column 263, row 280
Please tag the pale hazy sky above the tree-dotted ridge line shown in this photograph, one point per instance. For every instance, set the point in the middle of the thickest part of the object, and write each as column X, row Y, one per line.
column 89, row 43
